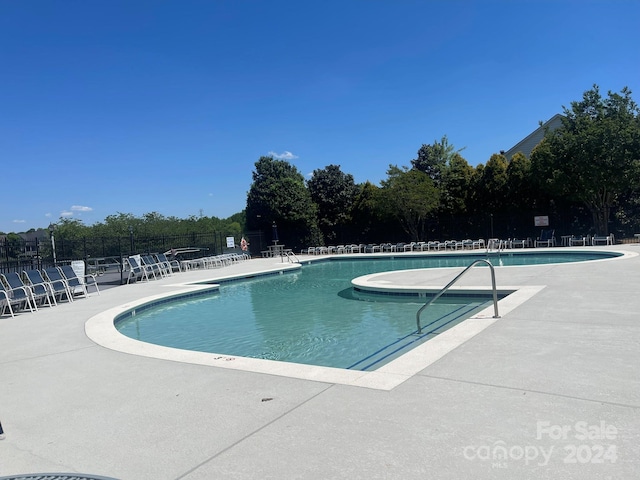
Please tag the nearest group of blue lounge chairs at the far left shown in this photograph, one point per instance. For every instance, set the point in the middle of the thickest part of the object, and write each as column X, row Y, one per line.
column 35, row 288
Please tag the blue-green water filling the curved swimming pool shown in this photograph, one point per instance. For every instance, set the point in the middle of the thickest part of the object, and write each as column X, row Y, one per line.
column 312, row 316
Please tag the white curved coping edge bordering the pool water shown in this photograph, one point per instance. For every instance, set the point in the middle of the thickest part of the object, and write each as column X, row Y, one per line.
column 101, row 329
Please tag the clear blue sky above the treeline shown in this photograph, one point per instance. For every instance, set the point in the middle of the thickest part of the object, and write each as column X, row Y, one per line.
column 165, row 106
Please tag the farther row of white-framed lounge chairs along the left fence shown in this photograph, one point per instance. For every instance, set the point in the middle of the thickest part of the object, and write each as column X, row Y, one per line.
column 158, row 265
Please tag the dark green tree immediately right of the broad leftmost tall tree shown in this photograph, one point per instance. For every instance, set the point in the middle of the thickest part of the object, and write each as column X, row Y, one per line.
column 334, row 193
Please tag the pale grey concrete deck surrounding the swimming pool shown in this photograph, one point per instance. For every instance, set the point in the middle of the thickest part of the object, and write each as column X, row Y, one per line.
column 550, row 390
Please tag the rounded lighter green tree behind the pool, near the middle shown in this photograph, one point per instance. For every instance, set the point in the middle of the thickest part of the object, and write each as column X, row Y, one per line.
column 412, row 198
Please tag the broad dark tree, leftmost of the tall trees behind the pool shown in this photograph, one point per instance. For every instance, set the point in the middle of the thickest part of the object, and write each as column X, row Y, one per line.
column 278, row 194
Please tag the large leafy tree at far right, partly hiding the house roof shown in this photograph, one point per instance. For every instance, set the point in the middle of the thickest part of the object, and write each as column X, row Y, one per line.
column 594, row 156
